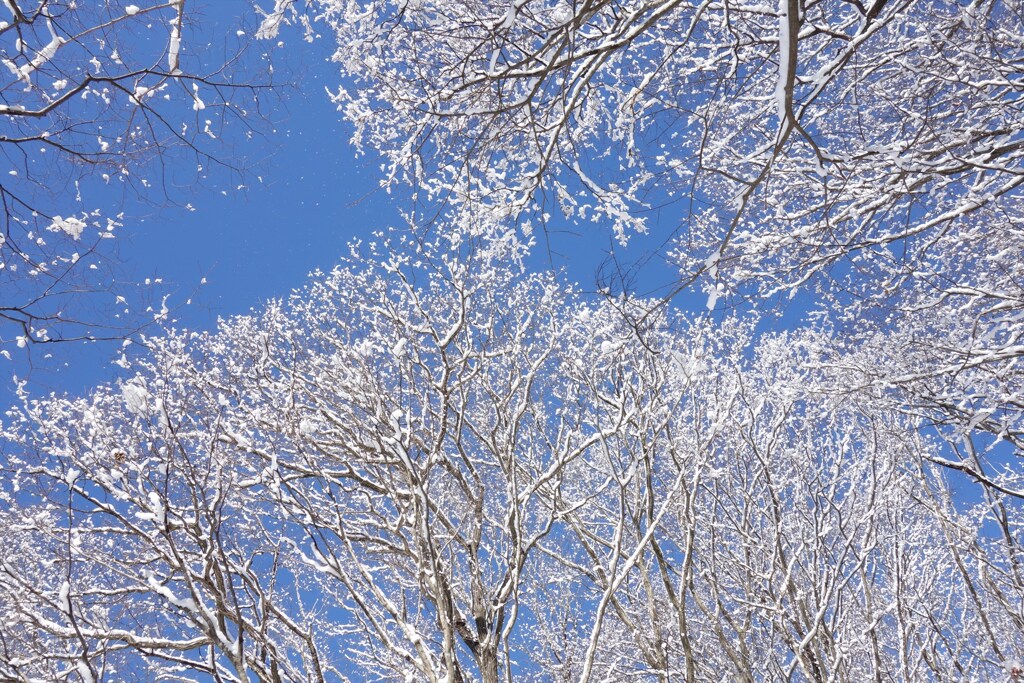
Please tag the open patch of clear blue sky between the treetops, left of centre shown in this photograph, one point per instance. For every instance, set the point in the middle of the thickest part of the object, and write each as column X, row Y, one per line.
column 307, row 197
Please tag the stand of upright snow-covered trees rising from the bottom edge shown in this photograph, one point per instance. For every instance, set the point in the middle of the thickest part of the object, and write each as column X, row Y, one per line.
column 432, row 466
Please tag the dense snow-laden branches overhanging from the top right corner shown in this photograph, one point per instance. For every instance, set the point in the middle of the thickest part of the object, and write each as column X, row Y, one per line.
column 865, row 155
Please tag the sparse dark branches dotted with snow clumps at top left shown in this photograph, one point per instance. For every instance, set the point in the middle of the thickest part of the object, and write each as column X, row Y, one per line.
column 100, row 100
